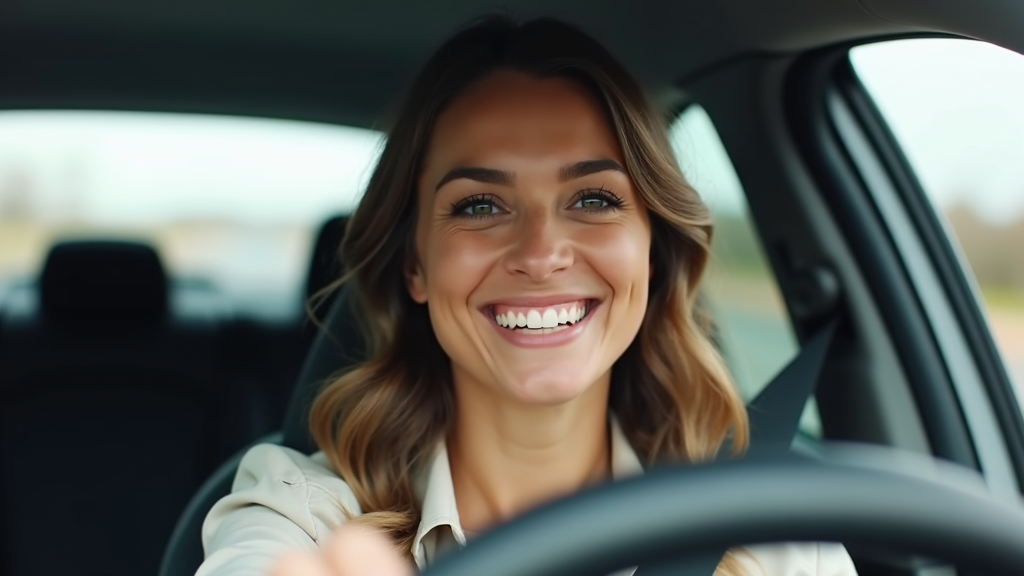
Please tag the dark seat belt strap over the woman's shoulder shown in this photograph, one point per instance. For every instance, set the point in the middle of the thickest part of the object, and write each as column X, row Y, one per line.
column 775, row 419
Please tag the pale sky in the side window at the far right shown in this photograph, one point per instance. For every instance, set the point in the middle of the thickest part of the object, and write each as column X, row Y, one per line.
column 958, row 109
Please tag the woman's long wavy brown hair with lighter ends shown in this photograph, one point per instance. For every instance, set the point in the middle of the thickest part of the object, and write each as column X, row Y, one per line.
column 380, row 423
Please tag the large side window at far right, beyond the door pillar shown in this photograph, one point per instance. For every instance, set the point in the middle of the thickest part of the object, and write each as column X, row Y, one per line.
column 956, row 108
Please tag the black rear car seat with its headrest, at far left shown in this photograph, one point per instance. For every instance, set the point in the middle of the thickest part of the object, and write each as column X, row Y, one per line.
column 113, row 410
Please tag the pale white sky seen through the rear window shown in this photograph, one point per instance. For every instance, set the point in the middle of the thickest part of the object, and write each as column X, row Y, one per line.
column 126, row 169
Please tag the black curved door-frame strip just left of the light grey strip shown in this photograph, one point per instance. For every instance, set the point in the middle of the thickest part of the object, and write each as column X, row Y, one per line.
column 844, row 192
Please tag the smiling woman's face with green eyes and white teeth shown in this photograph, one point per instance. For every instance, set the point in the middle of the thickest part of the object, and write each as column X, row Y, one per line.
column 534, row 248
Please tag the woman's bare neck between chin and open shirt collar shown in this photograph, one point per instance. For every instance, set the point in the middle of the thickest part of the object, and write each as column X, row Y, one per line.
column 507, row 458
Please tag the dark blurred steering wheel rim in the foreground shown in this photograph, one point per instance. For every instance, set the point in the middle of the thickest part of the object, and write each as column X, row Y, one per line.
column 694, row 512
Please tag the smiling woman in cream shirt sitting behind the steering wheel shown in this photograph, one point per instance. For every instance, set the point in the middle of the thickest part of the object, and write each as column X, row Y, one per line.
column 527, row 259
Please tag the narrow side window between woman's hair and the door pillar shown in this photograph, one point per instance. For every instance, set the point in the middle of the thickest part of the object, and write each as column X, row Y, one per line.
column 754, row 331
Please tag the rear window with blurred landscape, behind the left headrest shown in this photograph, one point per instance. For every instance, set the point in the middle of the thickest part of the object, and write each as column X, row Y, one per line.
column 234, row 202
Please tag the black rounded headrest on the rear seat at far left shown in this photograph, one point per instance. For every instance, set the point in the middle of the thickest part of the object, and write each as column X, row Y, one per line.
column 103, row 284
